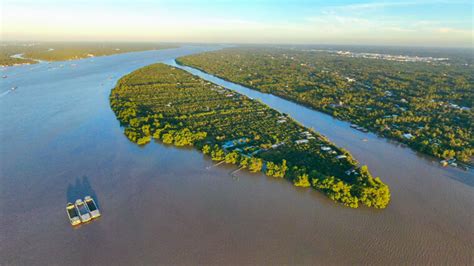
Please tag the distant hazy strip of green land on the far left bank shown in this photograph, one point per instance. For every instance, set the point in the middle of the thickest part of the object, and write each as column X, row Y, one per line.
column 63, row 51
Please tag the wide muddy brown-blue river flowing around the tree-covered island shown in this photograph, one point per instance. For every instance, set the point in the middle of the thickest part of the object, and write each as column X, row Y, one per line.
column 59, row 140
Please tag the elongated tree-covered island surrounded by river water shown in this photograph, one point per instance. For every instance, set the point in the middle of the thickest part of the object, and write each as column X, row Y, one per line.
column 175, row 107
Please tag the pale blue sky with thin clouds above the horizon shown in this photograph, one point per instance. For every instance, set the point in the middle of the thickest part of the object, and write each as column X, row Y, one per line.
column 404, row 22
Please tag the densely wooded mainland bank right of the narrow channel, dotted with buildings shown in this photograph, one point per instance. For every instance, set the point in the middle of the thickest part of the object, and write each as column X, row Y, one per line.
column 427, row 106
